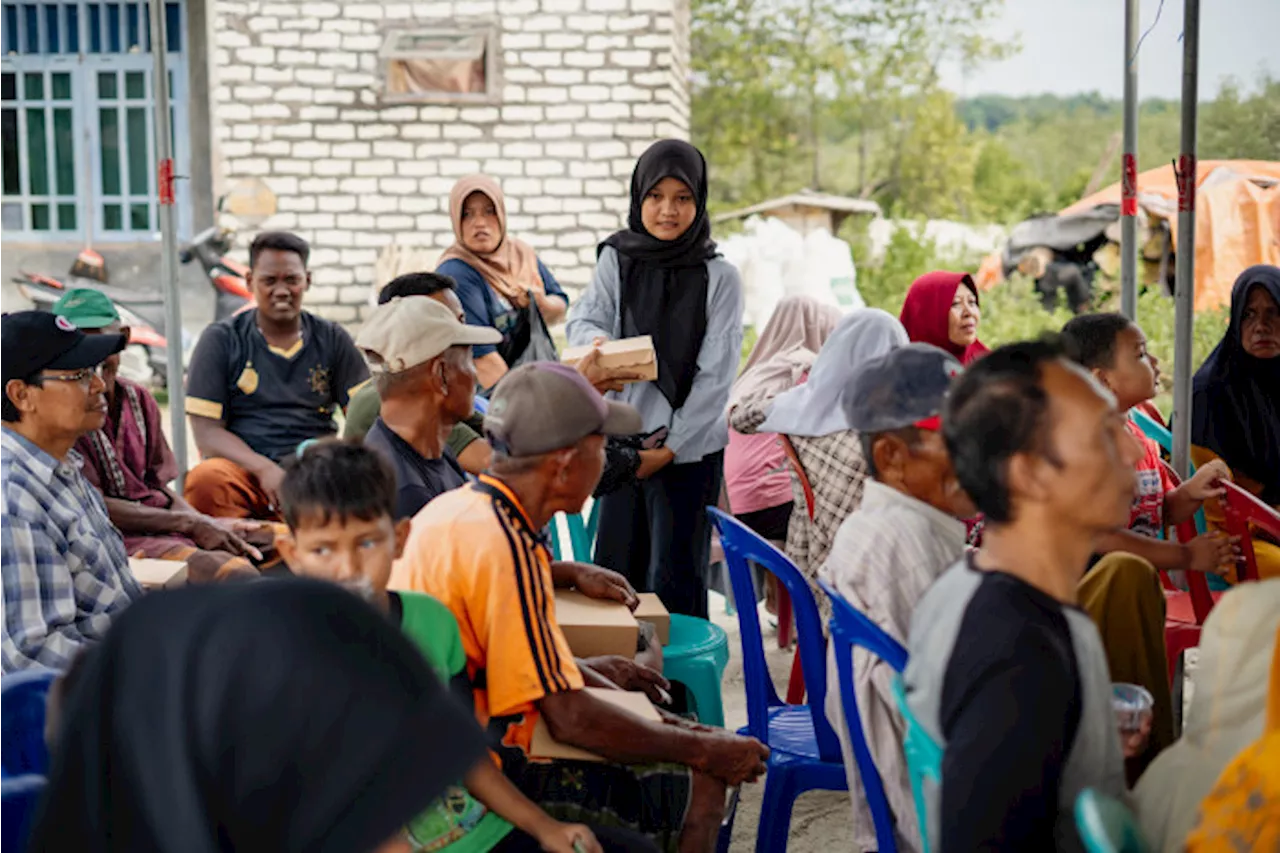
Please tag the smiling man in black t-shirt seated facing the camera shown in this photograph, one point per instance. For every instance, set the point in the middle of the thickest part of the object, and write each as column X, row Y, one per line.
column 263, row 382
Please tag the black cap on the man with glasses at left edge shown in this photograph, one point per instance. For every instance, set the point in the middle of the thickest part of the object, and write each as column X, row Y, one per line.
column 35, row 341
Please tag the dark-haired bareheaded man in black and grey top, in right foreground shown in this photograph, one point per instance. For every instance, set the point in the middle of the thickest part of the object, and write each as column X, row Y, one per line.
column 1007, row 672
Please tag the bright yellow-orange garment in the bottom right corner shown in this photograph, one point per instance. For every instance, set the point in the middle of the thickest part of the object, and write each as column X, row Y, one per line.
column 1244, row 810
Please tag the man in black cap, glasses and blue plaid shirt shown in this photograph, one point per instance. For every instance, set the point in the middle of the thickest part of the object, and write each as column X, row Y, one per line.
column 65, row 573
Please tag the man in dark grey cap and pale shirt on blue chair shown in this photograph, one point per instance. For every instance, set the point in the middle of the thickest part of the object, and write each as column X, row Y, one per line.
column 890, row 550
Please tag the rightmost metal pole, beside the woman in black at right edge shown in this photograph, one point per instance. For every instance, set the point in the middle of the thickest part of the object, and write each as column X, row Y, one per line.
column 1185, row 297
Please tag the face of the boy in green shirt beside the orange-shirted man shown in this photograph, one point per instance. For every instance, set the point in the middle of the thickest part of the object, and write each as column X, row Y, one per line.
column 351, row 553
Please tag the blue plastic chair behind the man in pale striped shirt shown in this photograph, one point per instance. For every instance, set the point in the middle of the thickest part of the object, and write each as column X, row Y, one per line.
column 851, row 628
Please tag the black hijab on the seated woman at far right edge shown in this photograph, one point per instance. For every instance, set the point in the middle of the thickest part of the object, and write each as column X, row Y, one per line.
column 1236, row 398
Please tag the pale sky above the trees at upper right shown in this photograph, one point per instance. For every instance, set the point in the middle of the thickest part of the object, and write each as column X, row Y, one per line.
column 1072, row 47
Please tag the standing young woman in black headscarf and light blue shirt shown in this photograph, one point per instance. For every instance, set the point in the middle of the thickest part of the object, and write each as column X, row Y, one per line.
column 662, row 277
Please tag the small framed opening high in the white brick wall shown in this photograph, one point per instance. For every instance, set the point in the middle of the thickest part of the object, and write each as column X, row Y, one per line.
column 441, row 65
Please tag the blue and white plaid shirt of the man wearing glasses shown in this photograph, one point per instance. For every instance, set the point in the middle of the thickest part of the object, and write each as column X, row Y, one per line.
column 65, row 574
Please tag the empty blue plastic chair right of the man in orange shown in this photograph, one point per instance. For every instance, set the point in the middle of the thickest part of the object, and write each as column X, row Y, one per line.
column 806, row 754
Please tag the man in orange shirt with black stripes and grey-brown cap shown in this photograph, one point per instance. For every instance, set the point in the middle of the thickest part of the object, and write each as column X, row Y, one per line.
column 481, row 551
